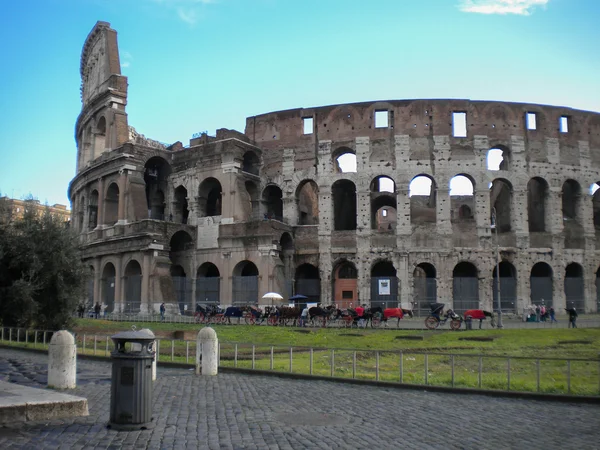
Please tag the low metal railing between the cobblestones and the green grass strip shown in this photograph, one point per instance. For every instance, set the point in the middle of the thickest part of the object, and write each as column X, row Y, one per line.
column 576, row 376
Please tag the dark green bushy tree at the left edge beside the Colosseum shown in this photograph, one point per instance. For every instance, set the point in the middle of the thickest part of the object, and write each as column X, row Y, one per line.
column 42, row 278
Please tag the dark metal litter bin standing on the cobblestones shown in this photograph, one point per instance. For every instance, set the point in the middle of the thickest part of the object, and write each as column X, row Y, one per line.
column 131, row 382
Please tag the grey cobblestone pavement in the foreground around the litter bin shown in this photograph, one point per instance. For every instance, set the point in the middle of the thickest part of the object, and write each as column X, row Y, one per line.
column 234, row 411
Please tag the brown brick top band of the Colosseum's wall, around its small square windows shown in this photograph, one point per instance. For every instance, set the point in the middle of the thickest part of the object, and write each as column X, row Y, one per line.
column 423, row 119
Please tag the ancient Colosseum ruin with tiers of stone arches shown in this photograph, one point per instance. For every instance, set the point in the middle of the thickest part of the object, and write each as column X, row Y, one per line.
column 386, row 202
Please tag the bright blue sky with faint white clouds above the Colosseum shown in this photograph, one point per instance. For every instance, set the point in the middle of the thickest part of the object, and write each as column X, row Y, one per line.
column 199, row 65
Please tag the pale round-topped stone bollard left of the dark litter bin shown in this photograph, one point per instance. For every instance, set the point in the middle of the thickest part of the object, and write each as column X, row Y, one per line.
column 62, row 361
